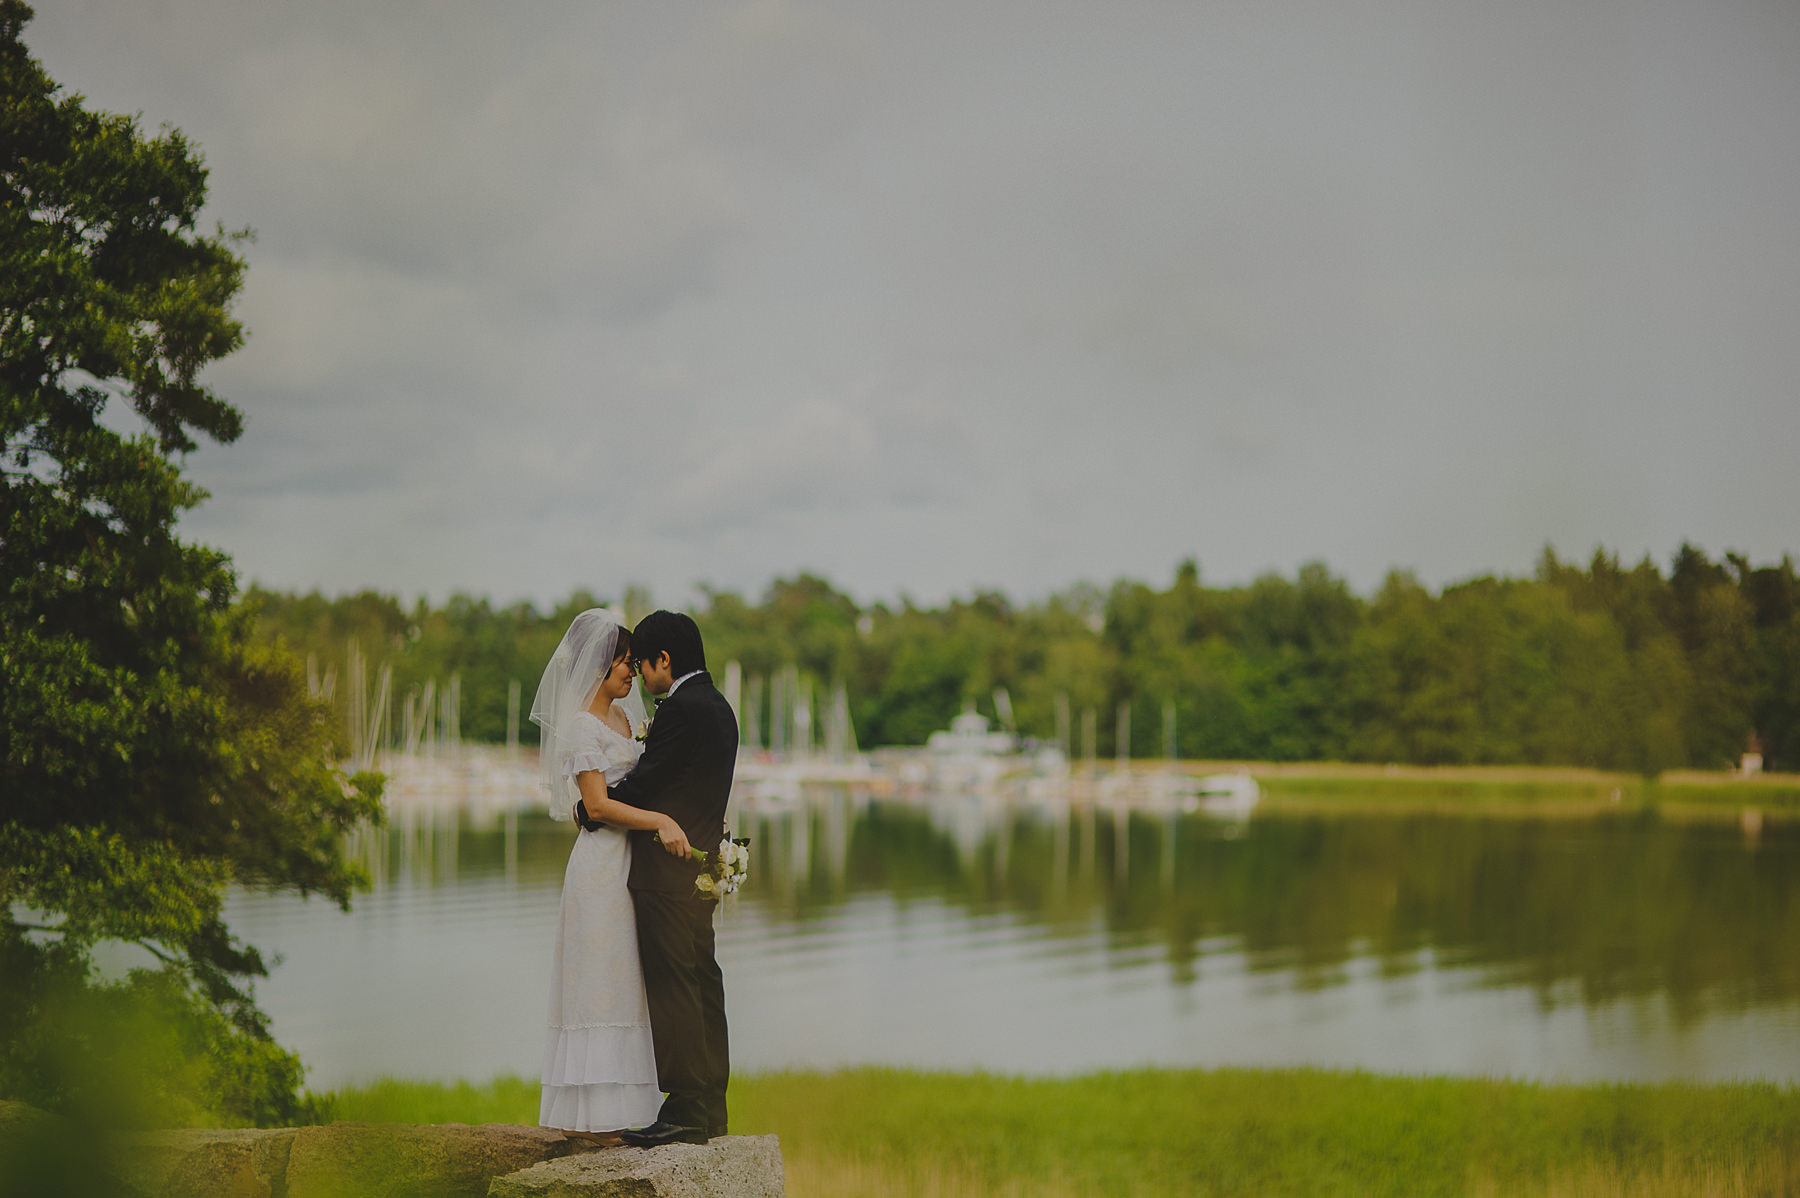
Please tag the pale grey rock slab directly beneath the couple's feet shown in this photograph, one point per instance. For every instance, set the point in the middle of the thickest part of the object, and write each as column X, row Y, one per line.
column 733, row 1167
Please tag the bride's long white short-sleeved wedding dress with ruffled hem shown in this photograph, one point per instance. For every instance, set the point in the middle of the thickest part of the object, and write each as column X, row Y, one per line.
column 600, row 1066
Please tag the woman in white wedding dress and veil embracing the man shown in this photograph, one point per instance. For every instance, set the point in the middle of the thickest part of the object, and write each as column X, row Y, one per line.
column 600, row 1068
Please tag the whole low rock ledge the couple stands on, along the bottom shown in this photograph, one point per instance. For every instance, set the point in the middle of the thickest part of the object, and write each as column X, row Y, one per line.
column 418, row 1161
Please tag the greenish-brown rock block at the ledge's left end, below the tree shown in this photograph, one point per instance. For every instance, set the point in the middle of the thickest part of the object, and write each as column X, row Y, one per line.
column 195, row 1163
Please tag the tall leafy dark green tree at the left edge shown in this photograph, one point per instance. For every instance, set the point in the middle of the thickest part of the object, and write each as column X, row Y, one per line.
column 154, row 749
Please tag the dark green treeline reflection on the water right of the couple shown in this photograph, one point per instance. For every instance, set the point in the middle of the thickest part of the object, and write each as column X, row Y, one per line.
column 1579, row 909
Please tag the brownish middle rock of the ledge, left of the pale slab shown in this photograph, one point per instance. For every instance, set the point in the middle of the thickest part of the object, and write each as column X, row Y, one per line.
column 413, row 1161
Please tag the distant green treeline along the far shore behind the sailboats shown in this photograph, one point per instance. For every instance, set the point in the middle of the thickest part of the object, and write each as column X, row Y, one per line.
column 1624, row 668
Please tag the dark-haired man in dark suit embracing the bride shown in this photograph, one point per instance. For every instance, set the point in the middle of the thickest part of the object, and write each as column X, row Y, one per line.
column 687, row 774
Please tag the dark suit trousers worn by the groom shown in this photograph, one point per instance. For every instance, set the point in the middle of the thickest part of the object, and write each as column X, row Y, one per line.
column 687, row 997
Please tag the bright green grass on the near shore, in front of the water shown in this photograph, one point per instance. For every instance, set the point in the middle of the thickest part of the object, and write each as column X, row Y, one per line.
column 885, row 1132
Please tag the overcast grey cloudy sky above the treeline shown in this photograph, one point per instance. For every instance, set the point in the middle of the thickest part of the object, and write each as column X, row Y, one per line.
column 928, row 296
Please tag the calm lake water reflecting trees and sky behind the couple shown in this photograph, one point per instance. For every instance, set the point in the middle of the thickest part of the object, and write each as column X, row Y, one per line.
column 962, row 934
